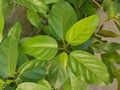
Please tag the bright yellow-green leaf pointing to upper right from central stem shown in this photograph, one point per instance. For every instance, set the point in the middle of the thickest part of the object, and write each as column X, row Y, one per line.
column 82, row 30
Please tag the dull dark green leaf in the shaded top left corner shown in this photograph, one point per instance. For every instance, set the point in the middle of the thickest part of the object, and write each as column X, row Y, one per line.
column 7, row 7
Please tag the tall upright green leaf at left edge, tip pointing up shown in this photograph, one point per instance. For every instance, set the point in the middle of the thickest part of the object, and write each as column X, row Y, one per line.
column 9, row 53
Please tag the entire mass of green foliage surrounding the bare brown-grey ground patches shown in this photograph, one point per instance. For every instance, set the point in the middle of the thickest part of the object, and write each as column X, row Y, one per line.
column 61, row 57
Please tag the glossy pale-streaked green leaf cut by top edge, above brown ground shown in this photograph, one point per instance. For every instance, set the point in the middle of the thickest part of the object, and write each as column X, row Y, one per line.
column 36, row 5
